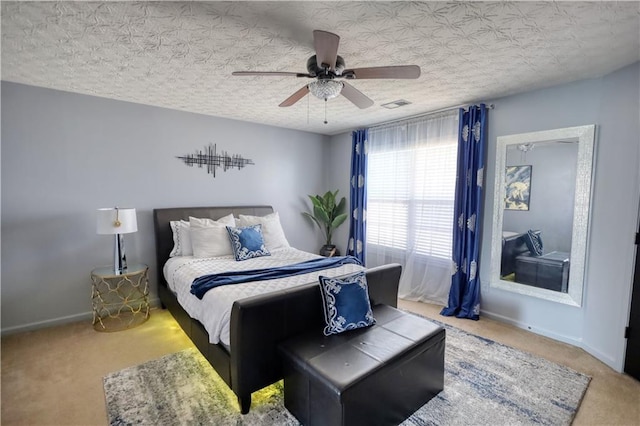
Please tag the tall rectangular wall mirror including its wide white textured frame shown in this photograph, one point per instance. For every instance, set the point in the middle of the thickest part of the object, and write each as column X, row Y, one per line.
column 541, row 213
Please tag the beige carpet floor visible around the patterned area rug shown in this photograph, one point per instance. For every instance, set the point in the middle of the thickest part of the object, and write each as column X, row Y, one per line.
column 54, row 376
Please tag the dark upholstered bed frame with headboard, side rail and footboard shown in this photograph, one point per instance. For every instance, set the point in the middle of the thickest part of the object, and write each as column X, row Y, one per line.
column 249, row 360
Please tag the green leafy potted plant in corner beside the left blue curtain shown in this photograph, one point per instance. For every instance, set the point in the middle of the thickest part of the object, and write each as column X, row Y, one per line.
column 328, row 215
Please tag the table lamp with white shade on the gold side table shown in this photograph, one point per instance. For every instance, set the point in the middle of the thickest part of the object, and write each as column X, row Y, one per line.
column 117, row 221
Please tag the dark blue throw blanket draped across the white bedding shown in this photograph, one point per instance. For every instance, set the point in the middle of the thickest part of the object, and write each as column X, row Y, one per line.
column 206, row 282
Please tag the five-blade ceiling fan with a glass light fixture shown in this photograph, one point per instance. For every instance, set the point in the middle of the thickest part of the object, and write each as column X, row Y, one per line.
column 326, row 66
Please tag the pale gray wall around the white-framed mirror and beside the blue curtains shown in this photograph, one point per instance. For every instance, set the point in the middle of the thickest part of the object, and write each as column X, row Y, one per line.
column 613, row 104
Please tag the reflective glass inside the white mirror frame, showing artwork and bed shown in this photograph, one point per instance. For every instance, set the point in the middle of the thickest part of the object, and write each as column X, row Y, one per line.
column 538, row 213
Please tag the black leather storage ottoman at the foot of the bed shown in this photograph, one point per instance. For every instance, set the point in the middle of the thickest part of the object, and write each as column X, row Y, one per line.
column 373, row 376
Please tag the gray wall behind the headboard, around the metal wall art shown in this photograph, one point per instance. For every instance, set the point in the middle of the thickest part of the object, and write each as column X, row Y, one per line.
column 65, row 155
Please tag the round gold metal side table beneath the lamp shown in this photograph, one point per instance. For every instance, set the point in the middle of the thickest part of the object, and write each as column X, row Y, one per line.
column 120, row 301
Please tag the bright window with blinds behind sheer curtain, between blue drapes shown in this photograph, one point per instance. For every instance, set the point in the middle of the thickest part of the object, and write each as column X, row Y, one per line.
column 411, row 178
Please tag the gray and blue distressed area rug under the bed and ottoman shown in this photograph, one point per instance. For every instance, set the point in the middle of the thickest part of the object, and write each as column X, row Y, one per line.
column 485, row 383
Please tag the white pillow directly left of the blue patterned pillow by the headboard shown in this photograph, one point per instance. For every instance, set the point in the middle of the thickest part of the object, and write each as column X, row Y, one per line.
column 209, row 238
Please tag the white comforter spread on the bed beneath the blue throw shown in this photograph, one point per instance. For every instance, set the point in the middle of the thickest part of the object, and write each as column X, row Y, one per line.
column 214, row 310
